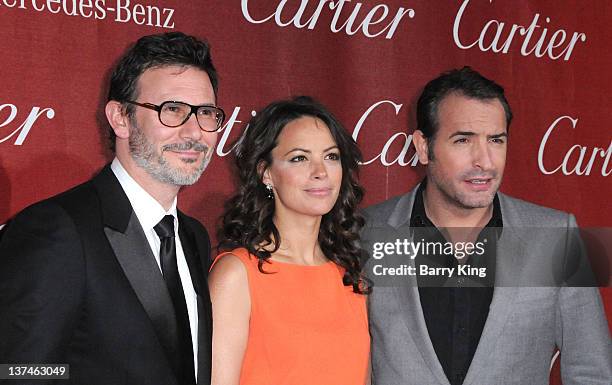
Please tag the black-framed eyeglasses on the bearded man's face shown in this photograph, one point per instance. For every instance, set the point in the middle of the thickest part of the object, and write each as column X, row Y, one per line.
column 174, row 114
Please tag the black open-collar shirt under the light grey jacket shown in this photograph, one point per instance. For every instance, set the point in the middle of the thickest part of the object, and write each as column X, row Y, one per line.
column 455, row 316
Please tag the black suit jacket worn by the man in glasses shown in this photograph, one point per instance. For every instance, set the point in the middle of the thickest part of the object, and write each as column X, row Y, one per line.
column 79, row 285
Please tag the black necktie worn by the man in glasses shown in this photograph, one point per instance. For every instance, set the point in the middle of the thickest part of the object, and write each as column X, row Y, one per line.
column 167, row 258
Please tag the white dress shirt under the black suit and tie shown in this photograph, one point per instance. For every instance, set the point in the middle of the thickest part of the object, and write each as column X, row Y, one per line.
column 149, row 212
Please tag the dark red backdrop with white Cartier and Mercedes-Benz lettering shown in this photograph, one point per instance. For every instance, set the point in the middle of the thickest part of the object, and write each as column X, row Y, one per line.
column 366, row 60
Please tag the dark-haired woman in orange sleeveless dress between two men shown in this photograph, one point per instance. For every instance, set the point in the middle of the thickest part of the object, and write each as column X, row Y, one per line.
column 289, row 300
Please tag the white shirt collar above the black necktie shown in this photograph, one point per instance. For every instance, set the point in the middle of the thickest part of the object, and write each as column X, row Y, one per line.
column 148, row 211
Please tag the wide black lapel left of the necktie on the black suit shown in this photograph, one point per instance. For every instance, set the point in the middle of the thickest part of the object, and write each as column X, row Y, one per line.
column 134, row 255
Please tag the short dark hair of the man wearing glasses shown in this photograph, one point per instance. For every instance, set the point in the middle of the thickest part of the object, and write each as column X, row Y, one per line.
column 161, row 50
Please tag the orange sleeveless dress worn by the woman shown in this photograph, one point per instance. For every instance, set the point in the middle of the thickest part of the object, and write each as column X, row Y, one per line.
column 306, row 327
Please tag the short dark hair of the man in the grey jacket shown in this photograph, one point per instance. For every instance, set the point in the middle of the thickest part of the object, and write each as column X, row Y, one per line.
column 464, row 81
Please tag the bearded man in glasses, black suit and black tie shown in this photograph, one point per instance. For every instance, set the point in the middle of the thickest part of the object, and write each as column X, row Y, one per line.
column 110, row 277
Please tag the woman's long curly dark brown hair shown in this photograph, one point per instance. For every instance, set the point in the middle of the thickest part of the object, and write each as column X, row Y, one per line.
column 247, row 220
